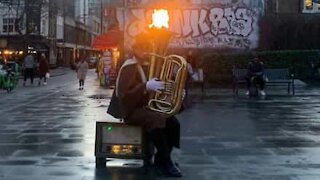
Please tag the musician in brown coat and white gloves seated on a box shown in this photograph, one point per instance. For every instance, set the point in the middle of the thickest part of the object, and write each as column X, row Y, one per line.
column 129, row 102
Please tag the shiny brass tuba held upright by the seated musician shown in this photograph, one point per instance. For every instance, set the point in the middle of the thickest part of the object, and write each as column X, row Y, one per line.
column 172, row 69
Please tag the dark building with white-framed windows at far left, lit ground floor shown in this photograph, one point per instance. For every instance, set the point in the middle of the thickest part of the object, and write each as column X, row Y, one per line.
column 20, row 28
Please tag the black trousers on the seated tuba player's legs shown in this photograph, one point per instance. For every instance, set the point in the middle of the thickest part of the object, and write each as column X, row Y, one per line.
column 164, row 139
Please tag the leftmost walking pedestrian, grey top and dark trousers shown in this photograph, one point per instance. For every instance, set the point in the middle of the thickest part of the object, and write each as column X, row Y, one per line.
column 29, row 66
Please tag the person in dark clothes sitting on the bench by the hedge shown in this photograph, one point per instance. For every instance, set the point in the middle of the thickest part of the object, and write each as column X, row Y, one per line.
column 255, row 76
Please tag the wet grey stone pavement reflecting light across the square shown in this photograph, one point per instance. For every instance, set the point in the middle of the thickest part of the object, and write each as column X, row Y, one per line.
column 48, row 132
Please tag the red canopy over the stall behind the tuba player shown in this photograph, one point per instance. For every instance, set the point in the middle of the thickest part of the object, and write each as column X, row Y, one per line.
column 108, row 40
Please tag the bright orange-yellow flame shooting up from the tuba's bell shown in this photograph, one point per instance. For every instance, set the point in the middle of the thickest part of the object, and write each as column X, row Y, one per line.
column 160, row 18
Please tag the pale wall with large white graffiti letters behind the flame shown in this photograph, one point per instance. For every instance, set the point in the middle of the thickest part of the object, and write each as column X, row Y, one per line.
column 211, row 25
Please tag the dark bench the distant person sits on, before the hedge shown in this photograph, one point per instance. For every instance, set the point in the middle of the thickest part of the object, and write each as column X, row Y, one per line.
column 275, row 77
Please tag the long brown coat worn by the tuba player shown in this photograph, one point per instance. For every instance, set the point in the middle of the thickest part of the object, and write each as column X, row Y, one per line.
column 130, row 97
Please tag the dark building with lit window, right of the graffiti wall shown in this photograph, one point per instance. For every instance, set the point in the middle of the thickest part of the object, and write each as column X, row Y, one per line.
column 290, row 24
